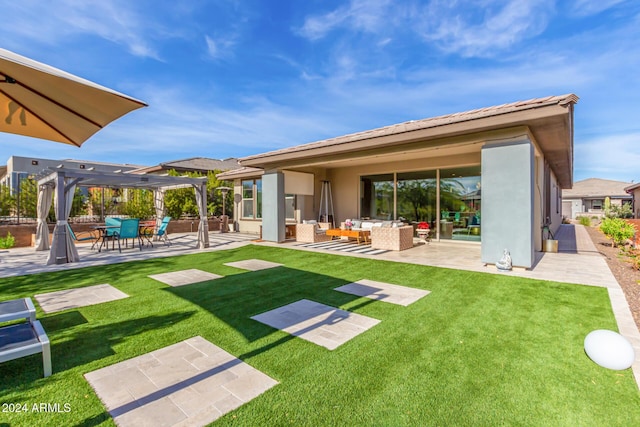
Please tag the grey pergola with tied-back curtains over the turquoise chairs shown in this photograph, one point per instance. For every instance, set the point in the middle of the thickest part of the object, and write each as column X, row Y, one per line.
column 63, row 182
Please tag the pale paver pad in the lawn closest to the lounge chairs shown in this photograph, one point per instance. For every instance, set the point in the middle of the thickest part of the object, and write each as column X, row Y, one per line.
column 80, row 297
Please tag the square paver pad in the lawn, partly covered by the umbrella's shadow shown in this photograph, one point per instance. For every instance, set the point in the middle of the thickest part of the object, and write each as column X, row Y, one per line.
column 318, row 323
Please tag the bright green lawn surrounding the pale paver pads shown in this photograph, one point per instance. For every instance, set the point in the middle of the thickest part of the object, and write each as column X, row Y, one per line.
column 480, row 349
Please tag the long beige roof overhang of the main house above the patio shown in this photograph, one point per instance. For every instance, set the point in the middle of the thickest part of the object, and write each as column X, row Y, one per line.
column 550, row 124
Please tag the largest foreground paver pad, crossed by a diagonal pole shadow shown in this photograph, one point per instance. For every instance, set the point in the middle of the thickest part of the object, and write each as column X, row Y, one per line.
column 191, row 383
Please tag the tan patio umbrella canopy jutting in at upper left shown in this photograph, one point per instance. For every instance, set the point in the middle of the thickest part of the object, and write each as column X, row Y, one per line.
column 44, row 102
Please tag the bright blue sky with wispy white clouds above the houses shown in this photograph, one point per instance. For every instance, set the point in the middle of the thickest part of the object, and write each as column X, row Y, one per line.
column 230, row 78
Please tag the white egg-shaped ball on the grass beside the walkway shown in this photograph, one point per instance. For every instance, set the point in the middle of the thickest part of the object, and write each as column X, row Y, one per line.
column 609, row 349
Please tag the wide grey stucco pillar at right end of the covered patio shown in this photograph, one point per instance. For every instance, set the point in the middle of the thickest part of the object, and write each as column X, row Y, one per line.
column 508, row 202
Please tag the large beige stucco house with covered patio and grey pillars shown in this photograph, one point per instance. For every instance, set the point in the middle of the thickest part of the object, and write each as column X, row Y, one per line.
column 505, row 164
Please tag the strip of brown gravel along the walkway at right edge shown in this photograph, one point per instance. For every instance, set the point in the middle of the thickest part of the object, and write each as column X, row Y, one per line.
column 627, row 276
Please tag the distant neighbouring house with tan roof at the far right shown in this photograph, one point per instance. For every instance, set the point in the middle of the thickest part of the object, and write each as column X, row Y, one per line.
column 587, row 197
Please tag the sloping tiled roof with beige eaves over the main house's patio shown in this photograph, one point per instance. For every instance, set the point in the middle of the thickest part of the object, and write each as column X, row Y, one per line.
column 549, row 119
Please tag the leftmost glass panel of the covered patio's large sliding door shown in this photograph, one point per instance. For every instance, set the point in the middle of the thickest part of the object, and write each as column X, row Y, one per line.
column 376, row 196
